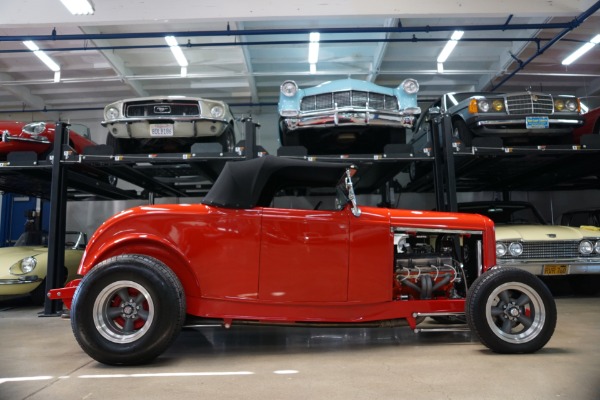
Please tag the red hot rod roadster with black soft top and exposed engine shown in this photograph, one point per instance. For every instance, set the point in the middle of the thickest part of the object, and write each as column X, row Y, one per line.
column 245, row 256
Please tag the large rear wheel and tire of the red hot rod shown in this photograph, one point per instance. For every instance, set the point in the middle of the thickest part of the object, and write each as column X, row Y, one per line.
column 127, row 310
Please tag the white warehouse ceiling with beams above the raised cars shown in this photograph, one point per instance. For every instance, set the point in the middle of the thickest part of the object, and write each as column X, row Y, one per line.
column 225, row 65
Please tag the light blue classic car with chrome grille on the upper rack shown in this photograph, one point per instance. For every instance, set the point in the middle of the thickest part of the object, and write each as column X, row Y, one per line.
column 346, row 116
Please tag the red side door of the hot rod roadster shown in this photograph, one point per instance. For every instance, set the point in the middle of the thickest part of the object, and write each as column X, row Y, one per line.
column 304, row 255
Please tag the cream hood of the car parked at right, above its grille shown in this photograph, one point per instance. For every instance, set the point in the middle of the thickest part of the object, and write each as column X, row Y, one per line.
column 543, row 232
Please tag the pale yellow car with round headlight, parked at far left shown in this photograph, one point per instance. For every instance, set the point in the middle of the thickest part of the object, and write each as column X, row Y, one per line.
column 23, row 267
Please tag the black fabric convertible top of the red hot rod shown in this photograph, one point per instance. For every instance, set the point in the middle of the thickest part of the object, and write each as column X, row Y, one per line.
column 252, row 183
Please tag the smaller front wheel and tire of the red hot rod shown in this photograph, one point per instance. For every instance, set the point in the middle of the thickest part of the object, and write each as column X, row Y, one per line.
column 511, row 311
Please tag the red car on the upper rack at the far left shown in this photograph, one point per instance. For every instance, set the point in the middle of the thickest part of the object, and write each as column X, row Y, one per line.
column 37, row 137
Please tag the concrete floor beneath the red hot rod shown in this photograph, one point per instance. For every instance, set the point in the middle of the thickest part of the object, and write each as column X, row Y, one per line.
column 40, row 359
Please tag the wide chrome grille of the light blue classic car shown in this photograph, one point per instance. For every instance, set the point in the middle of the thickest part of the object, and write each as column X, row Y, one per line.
column 349, row 98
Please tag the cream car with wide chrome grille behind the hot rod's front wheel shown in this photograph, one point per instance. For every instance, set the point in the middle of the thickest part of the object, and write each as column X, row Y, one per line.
column 525, row 241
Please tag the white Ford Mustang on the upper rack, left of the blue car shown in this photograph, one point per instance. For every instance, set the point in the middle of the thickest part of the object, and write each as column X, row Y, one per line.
column 167, row 124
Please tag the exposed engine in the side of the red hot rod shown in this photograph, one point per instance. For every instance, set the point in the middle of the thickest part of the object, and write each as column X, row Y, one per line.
column 429, row 265
